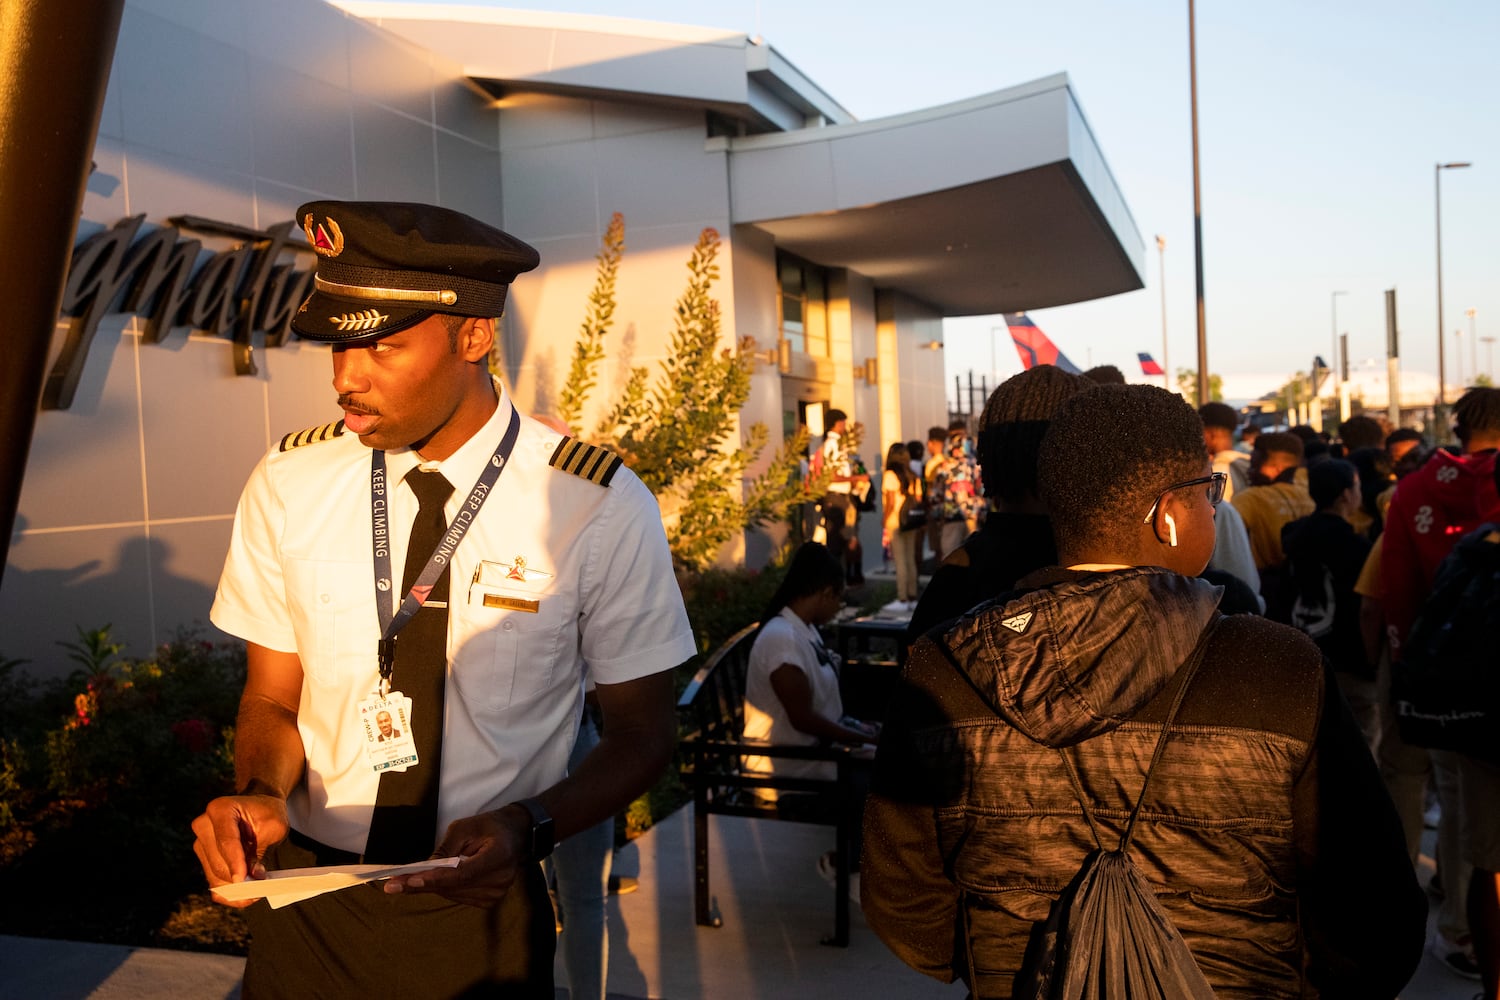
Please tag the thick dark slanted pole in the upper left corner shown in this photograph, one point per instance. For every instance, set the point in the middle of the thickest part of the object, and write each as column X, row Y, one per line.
column 55, row 67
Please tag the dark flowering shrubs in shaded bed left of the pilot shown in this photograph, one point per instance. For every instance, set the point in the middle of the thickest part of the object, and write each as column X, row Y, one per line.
column 101, row 776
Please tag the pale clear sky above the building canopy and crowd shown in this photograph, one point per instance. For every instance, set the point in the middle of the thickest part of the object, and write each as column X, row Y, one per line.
column 1321, row 124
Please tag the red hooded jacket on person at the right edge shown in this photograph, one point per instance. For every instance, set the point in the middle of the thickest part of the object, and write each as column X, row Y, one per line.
column 1430, row 512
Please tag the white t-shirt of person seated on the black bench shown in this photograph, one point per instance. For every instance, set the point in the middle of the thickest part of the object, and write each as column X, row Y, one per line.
column 787, row 639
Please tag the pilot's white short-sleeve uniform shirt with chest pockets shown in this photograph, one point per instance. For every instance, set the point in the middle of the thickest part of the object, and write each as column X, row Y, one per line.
column 301, row 578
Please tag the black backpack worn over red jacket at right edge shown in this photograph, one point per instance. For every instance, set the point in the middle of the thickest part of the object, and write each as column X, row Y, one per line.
column 1447, row 684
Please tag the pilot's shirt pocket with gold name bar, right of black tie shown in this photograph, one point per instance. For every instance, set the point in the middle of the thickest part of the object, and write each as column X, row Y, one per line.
column 506, row 654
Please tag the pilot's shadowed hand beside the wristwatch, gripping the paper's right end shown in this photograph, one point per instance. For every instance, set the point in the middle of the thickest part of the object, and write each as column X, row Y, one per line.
column 493, row 849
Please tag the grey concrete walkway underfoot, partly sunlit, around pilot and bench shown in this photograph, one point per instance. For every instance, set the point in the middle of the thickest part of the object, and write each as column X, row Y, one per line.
column 775, row 911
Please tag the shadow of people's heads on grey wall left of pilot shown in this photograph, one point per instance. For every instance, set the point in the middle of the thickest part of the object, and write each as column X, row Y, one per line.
column 136, row 593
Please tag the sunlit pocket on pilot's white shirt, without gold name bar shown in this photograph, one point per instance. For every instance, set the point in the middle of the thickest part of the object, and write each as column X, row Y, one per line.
column 337, row 630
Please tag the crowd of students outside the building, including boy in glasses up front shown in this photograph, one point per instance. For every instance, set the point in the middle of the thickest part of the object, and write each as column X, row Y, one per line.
column 1084, row 552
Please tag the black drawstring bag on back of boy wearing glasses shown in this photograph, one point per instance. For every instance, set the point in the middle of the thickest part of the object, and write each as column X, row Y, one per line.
column 1106, row 936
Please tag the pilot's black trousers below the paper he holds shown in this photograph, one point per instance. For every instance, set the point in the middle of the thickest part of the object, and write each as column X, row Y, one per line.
column 361, row 942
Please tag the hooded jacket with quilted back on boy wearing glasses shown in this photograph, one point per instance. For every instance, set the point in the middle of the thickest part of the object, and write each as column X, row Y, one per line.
column 1268, row 834
